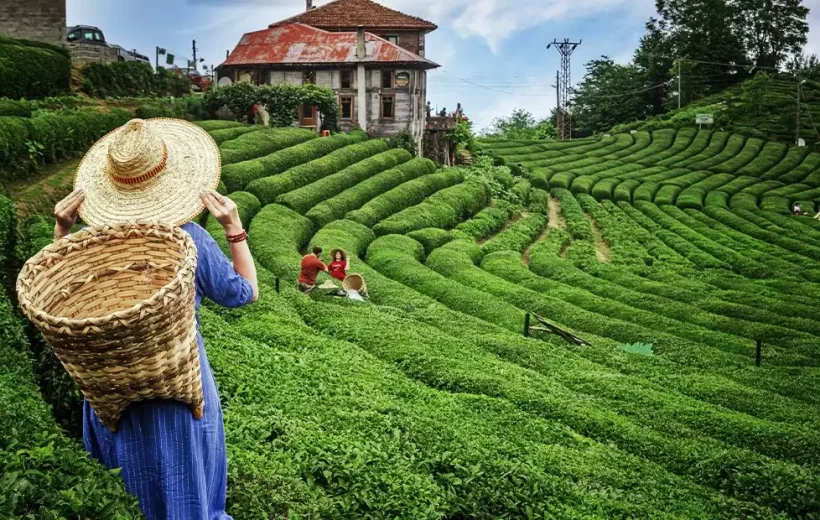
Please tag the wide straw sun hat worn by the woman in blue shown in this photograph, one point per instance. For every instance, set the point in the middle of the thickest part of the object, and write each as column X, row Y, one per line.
column 150, row 169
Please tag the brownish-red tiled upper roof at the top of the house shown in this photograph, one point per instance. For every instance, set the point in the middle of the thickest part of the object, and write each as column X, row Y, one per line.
column 350, row 14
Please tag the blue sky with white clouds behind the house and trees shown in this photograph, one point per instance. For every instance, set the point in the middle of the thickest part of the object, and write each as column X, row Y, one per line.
column 492, row 53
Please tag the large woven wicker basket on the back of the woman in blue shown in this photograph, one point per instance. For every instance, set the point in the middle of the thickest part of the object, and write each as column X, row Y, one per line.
column 116, row 303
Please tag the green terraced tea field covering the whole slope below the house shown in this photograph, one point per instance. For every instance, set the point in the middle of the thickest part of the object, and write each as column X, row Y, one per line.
column 429, row 401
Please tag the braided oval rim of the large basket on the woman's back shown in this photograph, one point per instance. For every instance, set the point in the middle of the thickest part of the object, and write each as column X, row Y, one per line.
column 40, row 315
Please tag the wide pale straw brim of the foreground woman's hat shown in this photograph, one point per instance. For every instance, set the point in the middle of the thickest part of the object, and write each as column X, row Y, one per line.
column 194, row 164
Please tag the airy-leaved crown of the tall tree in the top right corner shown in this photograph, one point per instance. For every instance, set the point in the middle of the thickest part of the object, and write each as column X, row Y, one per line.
column 771, row 30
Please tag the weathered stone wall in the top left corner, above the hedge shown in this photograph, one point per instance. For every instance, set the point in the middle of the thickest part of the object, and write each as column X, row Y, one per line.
column 42, row 20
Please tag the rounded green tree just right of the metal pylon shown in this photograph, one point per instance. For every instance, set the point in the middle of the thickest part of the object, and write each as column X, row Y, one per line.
column 608, row 95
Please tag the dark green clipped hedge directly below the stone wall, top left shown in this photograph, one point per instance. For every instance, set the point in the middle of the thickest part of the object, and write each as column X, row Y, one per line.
column 32, row 70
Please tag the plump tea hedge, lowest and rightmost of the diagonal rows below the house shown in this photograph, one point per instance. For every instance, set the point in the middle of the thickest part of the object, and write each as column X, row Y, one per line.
column 443, row 209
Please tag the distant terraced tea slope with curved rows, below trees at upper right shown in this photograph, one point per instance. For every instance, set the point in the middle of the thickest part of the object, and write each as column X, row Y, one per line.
column 686, row 168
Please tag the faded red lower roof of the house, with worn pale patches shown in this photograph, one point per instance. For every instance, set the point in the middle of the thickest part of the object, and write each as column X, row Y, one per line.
column 300, row 44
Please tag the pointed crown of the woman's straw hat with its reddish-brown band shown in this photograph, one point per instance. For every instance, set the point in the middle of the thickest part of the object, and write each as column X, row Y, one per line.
column 137, row 154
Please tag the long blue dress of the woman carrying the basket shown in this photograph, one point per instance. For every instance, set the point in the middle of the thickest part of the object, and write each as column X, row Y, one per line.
column 176, row 465
